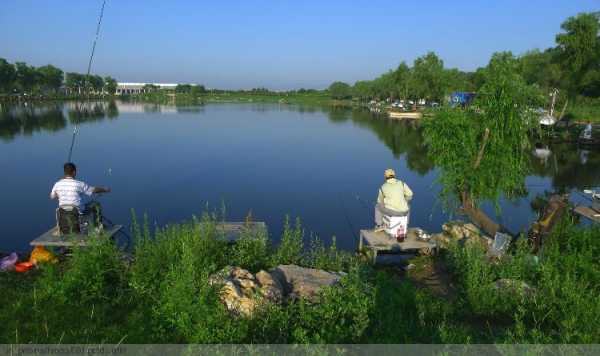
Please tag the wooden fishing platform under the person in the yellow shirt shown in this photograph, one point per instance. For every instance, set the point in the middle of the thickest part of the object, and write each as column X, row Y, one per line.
column 379, row 241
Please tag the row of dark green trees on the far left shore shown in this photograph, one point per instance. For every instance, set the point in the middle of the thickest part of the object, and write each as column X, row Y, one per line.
column 22, row 80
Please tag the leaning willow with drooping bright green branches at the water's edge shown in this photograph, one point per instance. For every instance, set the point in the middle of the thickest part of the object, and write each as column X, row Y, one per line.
column 482, row 150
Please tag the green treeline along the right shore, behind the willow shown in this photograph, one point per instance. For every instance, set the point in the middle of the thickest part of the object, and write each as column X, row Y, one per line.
column 572, row 67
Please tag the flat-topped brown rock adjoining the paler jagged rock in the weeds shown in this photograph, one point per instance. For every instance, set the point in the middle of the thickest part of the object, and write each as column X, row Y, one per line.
column 301, row 282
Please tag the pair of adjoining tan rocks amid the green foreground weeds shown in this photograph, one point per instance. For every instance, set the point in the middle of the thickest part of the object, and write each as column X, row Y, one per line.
column 243, row 292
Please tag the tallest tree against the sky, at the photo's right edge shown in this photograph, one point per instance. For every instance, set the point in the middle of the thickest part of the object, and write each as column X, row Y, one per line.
column 579, row 52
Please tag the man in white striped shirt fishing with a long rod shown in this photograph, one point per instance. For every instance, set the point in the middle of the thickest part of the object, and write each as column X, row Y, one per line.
column 68, row 190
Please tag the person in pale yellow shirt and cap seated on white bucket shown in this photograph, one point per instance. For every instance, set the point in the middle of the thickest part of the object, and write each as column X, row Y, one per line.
column 393, row 198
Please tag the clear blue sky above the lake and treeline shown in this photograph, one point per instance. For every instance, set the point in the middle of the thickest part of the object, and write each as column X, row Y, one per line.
column 275, row 44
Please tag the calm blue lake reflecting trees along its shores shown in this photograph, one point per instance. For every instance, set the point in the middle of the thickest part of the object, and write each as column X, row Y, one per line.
column 322, row 165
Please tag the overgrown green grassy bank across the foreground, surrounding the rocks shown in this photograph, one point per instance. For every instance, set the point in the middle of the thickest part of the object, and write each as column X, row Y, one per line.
column 163, row 295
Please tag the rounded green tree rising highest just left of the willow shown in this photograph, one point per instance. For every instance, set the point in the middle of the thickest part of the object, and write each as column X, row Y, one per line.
column 428, row 77
